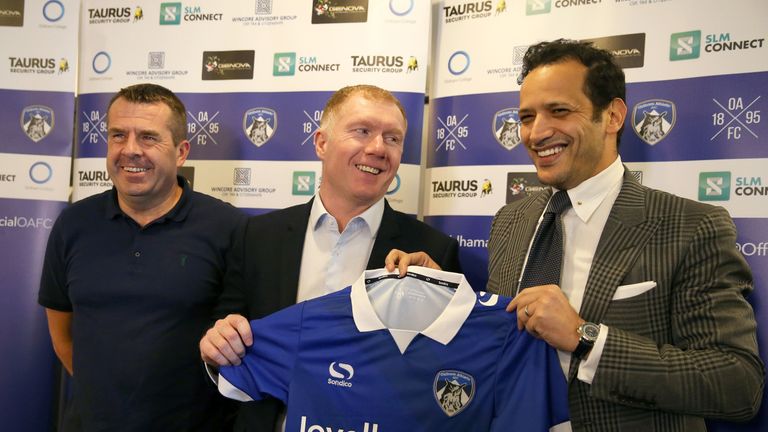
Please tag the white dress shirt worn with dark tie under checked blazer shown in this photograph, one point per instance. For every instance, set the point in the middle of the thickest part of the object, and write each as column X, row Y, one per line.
column 583, row 225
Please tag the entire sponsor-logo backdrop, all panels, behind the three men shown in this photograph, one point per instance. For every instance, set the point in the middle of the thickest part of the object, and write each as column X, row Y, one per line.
column 255, row 74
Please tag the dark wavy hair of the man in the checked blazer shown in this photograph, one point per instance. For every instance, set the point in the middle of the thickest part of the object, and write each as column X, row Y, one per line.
column 604, row 81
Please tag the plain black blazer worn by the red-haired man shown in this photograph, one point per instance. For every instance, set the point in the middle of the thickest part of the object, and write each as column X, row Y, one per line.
column 263, row 273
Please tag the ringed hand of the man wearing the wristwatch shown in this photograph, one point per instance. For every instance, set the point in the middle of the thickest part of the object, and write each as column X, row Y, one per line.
column 545, row 313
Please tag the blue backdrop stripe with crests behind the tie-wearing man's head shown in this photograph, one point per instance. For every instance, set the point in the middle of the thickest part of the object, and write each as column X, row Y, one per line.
column 719, row 117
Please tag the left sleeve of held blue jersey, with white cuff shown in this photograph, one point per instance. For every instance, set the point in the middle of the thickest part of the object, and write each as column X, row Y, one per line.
column 267, row 367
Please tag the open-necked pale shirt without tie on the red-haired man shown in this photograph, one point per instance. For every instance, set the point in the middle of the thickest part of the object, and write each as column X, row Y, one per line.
column 332, row 260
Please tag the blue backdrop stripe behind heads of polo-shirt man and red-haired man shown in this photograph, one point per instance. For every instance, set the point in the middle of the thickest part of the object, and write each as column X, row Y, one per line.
column 216, row 129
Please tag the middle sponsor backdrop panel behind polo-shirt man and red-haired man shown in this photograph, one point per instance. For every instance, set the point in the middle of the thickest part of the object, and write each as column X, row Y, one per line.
column 254, row 76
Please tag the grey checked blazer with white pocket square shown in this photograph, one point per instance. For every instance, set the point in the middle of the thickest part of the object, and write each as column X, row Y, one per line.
column 675, row 354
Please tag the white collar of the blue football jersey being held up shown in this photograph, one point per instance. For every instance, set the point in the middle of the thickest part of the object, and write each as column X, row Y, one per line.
column 442, row 330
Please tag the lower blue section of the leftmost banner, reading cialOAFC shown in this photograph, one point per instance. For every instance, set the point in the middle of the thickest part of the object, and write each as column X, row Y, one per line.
column 27, row 375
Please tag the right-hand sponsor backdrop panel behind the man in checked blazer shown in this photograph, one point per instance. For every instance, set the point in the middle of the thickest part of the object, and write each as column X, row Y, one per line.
column 697, row 98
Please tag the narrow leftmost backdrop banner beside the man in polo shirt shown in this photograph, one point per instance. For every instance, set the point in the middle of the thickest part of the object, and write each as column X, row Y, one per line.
column 38, row 49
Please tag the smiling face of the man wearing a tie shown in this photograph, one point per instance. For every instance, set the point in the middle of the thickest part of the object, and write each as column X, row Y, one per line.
column 566, row 141
